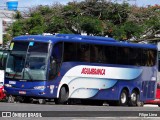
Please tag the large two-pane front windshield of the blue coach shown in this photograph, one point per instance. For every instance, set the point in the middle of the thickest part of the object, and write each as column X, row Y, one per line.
column 27, row 61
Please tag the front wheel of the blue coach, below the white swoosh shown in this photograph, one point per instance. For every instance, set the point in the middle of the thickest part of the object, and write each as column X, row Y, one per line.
column 63, row 96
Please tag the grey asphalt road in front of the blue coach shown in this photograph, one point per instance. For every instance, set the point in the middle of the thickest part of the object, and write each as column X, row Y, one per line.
column 76, row 112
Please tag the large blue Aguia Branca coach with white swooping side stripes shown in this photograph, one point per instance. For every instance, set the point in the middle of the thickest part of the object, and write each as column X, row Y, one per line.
column 63, row 67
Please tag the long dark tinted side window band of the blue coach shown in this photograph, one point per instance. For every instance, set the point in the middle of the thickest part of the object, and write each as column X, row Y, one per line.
column 109, row 54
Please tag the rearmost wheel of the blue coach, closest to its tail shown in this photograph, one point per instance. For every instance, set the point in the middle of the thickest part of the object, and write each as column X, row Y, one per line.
column 134, row 98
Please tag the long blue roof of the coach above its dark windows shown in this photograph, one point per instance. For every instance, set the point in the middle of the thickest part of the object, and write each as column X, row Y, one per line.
column 81, row 38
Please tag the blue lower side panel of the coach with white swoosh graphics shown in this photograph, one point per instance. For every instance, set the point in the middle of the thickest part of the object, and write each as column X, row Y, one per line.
column 104, row 88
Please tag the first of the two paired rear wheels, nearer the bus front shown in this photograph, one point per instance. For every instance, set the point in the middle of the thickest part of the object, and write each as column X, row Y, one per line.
column 123, row 99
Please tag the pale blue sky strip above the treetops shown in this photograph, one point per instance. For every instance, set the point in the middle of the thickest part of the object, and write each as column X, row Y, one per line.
column 30, row 3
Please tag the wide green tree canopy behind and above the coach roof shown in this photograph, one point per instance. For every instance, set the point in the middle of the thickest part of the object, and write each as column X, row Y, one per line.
column 94, row 17
